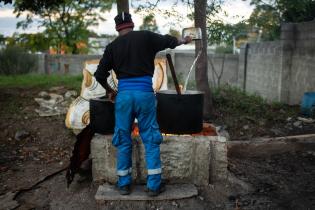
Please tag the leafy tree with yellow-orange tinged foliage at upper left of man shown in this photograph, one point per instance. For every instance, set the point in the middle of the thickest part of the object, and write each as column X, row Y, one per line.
column 66, row 21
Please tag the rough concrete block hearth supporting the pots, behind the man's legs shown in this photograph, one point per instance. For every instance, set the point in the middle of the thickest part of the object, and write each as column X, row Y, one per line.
column 185, row 159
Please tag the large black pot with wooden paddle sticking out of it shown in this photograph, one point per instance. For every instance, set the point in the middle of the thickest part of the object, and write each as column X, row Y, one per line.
column 180, row 114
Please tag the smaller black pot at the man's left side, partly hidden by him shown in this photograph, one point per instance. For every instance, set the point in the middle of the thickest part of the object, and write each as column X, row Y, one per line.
column 102, row 116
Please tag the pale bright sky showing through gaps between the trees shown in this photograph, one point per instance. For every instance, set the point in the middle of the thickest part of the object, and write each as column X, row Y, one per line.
column 236, row 10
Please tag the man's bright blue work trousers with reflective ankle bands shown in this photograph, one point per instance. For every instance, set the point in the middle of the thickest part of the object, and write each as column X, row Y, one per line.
column 141, row 105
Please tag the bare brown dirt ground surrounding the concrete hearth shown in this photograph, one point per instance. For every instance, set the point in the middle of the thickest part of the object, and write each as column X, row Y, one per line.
column 282, row 181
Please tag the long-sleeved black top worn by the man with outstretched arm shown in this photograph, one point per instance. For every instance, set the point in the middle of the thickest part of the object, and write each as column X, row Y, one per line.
column 132, row 54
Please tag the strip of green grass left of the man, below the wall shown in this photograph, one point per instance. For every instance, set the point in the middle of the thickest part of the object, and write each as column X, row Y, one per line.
column 41, row 81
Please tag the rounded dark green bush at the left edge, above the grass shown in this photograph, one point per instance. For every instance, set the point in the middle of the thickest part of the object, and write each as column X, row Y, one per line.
column 15, row 60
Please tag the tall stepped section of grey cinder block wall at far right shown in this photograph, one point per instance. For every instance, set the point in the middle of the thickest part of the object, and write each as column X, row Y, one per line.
column 282, row 70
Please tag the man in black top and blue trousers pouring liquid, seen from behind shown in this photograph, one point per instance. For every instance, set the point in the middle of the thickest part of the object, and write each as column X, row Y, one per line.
column 131, row 55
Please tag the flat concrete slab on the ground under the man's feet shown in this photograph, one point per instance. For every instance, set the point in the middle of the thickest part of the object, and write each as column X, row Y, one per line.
column 108, row 192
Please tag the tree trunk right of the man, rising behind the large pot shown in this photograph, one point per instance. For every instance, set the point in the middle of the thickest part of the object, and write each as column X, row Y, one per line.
column 201, row 73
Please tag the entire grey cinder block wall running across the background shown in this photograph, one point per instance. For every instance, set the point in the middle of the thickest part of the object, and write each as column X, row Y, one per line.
column 279, row 71
